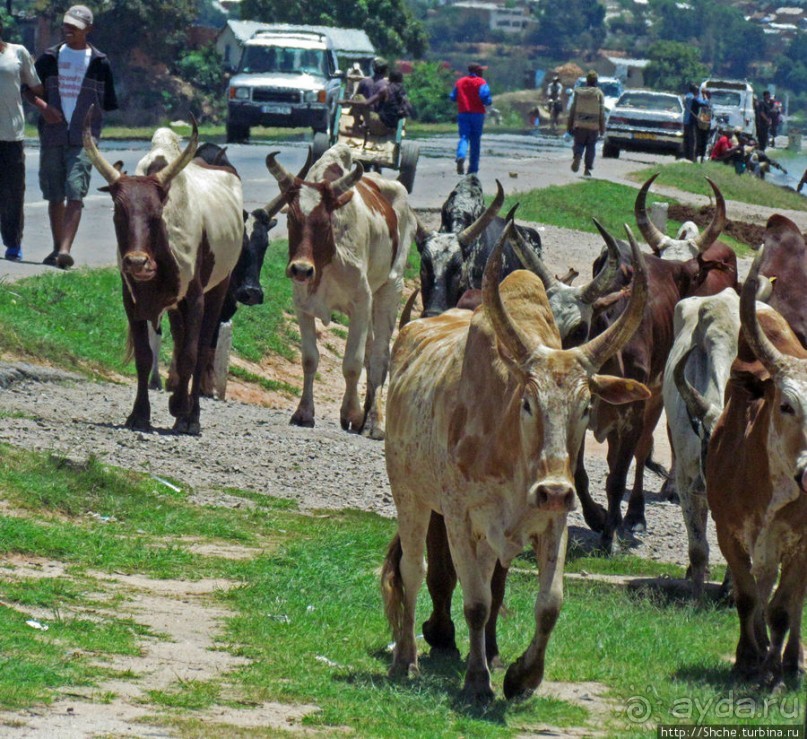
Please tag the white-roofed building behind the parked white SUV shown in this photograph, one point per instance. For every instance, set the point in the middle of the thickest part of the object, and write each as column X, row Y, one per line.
column 351, row 44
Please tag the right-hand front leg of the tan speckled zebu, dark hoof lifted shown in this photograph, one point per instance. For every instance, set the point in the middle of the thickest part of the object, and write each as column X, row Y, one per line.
column 525, row 675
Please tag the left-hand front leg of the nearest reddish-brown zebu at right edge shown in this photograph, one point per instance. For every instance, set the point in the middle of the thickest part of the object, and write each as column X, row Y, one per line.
column 749, row 654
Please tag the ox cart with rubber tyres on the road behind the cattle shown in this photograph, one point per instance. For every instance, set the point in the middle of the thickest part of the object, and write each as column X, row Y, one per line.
column 374, row 151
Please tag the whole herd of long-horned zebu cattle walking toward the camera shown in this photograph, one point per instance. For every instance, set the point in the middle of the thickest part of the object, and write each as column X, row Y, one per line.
column 489, row 402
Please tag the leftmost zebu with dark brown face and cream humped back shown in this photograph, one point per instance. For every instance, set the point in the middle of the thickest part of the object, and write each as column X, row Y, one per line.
column 179, row 228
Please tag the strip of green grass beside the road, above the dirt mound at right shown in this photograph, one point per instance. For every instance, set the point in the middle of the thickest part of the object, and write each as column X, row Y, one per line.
column 743, row 188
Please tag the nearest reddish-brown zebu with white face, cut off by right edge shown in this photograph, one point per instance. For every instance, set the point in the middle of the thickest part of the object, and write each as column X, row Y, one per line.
column 756, row 482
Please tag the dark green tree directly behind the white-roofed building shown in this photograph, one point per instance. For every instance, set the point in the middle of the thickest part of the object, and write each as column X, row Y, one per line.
column 389, row 23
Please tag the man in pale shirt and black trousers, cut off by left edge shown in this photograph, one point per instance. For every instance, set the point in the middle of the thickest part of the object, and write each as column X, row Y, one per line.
column 16, row 69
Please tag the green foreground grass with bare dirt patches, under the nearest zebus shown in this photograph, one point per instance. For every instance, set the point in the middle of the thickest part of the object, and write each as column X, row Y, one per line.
column 307, row 612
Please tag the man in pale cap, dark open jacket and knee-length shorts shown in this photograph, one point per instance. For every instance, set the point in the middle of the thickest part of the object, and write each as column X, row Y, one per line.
column 75, row 76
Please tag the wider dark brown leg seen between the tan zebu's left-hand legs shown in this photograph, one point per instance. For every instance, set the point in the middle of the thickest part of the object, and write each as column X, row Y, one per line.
column 441, row 579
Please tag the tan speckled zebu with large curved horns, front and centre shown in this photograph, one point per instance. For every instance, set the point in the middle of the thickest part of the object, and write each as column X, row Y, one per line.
column 486, row 413
